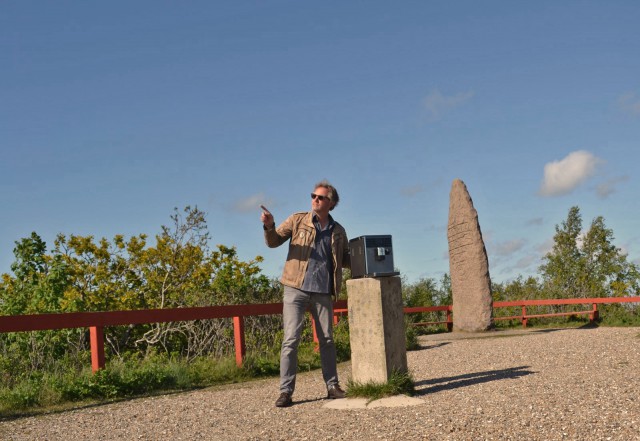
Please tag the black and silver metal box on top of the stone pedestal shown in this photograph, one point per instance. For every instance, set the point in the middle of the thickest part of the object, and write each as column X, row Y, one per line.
column 371, row 256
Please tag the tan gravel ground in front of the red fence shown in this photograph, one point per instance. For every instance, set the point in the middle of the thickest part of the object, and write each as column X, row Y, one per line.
column 570, row 384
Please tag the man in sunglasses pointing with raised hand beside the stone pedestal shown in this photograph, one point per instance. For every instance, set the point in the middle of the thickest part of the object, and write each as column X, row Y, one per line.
column 318, row 250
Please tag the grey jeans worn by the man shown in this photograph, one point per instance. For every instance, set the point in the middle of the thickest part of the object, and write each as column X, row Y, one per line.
column 296, row 303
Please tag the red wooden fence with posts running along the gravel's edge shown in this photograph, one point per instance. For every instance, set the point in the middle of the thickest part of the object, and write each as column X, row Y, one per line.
column 96, row 321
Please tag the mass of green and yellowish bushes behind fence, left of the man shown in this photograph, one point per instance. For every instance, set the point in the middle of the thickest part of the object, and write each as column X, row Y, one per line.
column 82, row 274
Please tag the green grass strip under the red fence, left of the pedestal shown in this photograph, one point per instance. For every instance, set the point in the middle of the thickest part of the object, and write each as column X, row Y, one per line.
column 33, row 393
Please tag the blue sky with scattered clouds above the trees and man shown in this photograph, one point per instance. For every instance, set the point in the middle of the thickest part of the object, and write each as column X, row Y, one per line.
column 113, row 113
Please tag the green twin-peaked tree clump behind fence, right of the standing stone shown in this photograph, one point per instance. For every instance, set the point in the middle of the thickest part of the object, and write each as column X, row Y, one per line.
column 589, row 264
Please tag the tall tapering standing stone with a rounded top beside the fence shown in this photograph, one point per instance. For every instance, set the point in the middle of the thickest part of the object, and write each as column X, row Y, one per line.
column 468, row 264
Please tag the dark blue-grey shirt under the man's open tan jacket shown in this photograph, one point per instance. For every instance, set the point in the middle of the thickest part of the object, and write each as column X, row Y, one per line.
column 319, row 275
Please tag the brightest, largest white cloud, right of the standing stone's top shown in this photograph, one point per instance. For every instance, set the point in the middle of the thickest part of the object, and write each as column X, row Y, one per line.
column 564, row 176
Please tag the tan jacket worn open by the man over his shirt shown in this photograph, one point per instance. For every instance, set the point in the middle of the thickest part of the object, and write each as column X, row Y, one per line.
column 300, row 230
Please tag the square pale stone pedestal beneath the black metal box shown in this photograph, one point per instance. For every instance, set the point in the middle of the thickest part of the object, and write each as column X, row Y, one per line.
column 376, row 329
